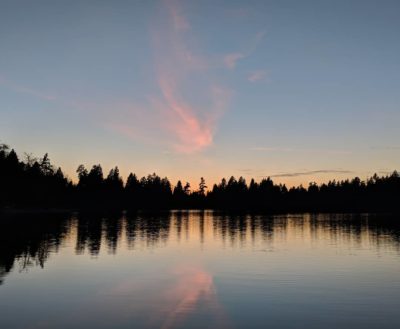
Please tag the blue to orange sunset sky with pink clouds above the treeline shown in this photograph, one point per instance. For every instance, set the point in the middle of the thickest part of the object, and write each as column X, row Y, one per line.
column 300, row 91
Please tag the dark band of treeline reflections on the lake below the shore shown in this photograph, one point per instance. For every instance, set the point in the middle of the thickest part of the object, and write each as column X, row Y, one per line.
column 29, row 240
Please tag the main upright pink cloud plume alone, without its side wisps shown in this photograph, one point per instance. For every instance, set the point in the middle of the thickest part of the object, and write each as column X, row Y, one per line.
column 191, row 124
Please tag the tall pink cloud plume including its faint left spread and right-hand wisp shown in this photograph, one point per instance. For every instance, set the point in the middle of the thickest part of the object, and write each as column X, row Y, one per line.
column 183, row 114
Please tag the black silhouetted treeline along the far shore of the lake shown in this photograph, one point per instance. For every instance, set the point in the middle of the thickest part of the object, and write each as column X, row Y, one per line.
column 36, row 183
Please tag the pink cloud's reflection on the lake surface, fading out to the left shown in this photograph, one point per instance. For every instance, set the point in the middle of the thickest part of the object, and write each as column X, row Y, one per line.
column 179, row 297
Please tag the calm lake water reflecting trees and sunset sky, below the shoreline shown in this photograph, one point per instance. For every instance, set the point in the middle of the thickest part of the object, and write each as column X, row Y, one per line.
column 200, row 270
